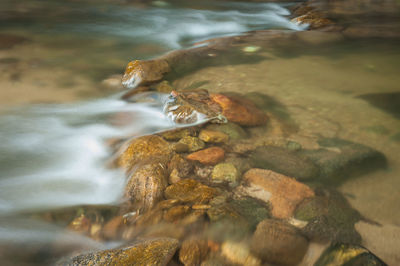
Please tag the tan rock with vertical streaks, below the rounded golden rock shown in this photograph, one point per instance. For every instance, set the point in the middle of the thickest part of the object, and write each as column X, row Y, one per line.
column 146, row 185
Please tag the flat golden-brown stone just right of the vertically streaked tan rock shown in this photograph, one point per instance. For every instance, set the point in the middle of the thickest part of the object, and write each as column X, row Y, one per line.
column 190, row 191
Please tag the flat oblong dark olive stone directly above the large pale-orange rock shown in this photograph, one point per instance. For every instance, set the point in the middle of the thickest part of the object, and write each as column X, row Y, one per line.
column 284, row 161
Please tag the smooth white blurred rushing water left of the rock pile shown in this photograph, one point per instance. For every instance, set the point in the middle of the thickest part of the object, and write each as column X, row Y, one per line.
column 56, row 155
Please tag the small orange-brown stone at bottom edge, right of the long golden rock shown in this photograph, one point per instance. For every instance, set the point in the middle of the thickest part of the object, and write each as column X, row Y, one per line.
column 193, row 252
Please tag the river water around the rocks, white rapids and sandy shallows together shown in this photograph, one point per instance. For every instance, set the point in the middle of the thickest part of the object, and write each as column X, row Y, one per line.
column 58, row 112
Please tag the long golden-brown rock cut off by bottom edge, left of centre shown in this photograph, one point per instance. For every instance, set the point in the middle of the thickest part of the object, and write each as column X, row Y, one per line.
column 157, row 251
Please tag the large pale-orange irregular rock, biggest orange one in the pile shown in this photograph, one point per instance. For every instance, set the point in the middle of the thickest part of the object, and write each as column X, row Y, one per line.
column 282, row 192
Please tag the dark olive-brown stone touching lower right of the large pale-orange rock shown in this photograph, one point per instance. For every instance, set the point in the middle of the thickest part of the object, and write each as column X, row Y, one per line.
column 330, row 218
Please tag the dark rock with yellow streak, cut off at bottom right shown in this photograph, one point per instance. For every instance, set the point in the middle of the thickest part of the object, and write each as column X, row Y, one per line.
column 348, row 255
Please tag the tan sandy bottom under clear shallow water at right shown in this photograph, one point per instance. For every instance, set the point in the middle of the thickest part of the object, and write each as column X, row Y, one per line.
column 319, row 87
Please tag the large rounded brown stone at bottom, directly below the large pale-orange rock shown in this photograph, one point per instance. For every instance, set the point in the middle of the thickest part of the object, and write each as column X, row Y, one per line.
column 277, row 242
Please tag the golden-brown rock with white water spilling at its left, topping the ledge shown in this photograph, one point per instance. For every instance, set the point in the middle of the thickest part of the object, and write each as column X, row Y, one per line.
column 141, row 72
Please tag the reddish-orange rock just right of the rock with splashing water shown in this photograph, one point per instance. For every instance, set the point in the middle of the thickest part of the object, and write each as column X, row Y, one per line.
column 240, row 111
